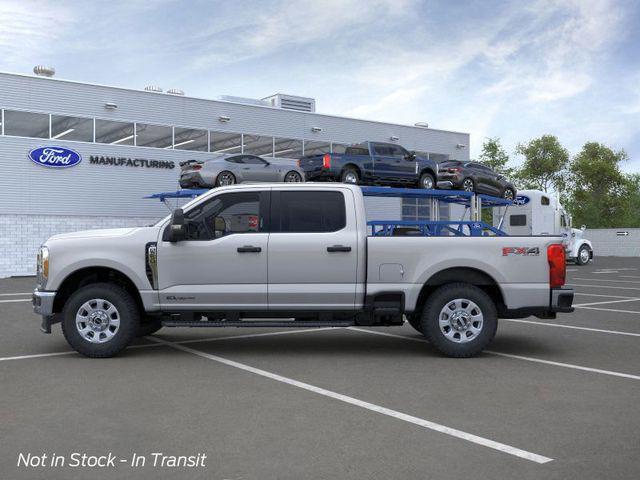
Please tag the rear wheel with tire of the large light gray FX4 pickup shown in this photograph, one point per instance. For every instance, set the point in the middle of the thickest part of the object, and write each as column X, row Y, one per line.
column 459, row 320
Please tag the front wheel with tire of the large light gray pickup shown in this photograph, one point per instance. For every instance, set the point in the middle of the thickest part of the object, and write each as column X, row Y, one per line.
column 100, row 320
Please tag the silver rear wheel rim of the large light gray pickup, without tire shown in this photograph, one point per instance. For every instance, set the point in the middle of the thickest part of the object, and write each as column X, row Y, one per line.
column 461, row 320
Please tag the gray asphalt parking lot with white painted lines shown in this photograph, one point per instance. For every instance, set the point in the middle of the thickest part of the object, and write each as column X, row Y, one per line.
column 551, row 399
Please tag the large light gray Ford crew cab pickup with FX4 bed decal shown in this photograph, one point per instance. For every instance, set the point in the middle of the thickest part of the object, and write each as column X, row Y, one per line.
column 290, row 255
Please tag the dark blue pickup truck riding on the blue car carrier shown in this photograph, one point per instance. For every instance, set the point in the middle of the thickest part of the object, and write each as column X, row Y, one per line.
column 371, row 163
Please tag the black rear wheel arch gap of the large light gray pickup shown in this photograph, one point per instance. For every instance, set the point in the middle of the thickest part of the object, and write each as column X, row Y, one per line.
column 470, row 275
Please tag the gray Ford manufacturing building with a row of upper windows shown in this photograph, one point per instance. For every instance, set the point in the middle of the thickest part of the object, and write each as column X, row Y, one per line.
column 128, row 144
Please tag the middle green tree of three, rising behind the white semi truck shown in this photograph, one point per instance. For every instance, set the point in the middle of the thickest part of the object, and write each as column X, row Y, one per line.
column 545, row 164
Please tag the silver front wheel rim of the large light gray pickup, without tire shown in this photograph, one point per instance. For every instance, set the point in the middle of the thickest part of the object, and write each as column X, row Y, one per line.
column 97, row 320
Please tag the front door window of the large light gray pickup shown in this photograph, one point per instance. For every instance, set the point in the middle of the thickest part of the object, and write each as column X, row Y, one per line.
column 226, row 214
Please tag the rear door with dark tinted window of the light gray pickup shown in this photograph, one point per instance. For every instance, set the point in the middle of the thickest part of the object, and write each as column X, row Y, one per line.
column 313, row 250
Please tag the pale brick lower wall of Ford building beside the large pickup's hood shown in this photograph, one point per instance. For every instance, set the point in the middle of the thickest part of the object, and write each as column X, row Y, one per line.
column 22, row 235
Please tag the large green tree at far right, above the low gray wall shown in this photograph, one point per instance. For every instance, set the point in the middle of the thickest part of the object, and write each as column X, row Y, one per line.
column 600, row 194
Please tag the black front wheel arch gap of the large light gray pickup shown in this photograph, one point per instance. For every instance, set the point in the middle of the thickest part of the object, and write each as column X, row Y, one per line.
column 88, row 275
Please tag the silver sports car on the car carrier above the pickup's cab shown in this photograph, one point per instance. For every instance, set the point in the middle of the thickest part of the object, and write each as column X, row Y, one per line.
column 229, row 169
